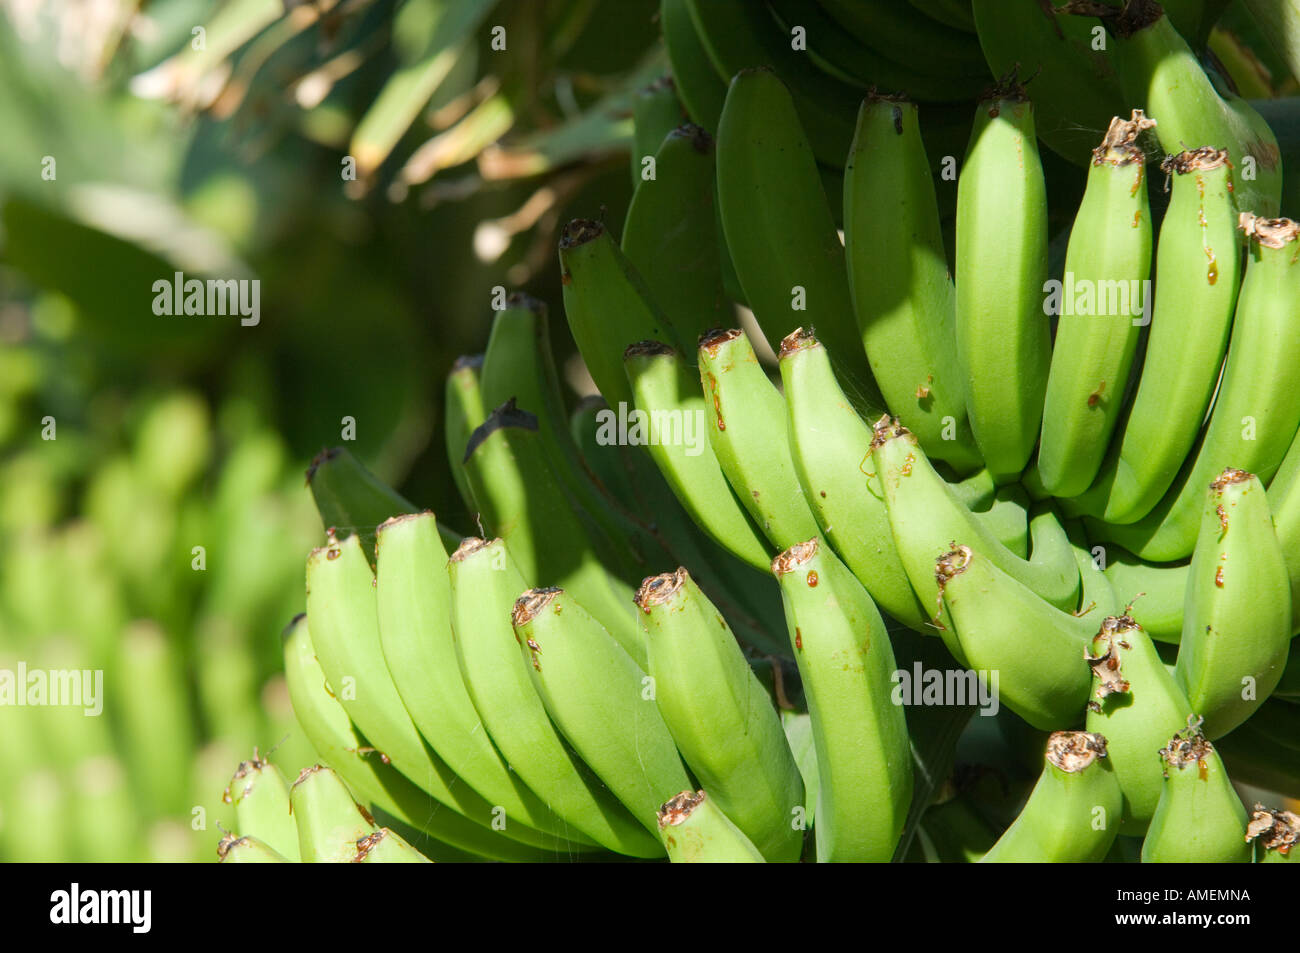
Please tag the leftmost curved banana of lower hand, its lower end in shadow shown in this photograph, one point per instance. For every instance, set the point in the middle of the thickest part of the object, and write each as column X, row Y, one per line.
column 370, row 774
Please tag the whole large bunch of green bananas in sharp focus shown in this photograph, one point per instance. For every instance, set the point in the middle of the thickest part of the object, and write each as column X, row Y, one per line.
column 981, row 475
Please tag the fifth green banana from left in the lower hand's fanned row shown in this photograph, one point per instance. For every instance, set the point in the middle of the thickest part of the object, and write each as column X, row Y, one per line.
column 600, row 699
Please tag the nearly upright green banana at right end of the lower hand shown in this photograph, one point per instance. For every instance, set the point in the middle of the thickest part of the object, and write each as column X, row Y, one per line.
column 864, row 763
